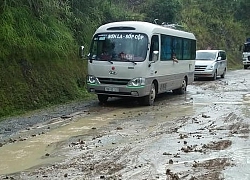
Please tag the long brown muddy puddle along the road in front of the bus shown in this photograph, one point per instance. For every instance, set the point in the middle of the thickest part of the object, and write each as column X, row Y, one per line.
column 37, row 150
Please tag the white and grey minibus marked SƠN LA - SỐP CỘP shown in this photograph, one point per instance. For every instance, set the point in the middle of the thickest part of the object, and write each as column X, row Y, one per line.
column 134, row 59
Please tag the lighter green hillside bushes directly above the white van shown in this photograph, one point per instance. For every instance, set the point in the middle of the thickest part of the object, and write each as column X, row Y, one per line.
column 214, row 24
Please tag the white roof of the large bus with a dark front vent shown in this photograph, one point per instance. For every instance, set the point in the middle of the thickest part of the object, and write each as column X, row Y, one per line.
column 142, row 27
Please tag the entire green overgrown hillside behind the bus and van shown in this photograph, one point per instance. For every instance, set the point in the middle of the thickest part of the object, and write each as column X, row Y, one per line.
column 39, row 61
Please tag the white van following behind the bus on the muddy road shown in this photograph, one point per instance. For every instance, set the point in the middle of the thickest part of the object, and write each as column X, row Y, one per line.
column 210, row 64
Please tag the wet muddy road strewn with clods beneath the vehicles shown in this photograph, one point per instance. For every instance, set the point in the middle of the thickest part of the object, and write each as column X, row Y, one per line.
column 203, row 134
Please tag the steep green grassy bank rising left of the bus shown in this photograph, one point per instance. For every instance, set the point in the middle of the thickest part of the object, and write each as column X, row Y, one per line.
column 39, row 62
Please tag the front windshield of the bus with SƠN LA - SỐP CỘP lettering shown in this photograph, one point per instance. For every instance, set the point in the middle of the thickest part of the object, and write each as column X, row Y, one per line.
column 119, row 47
